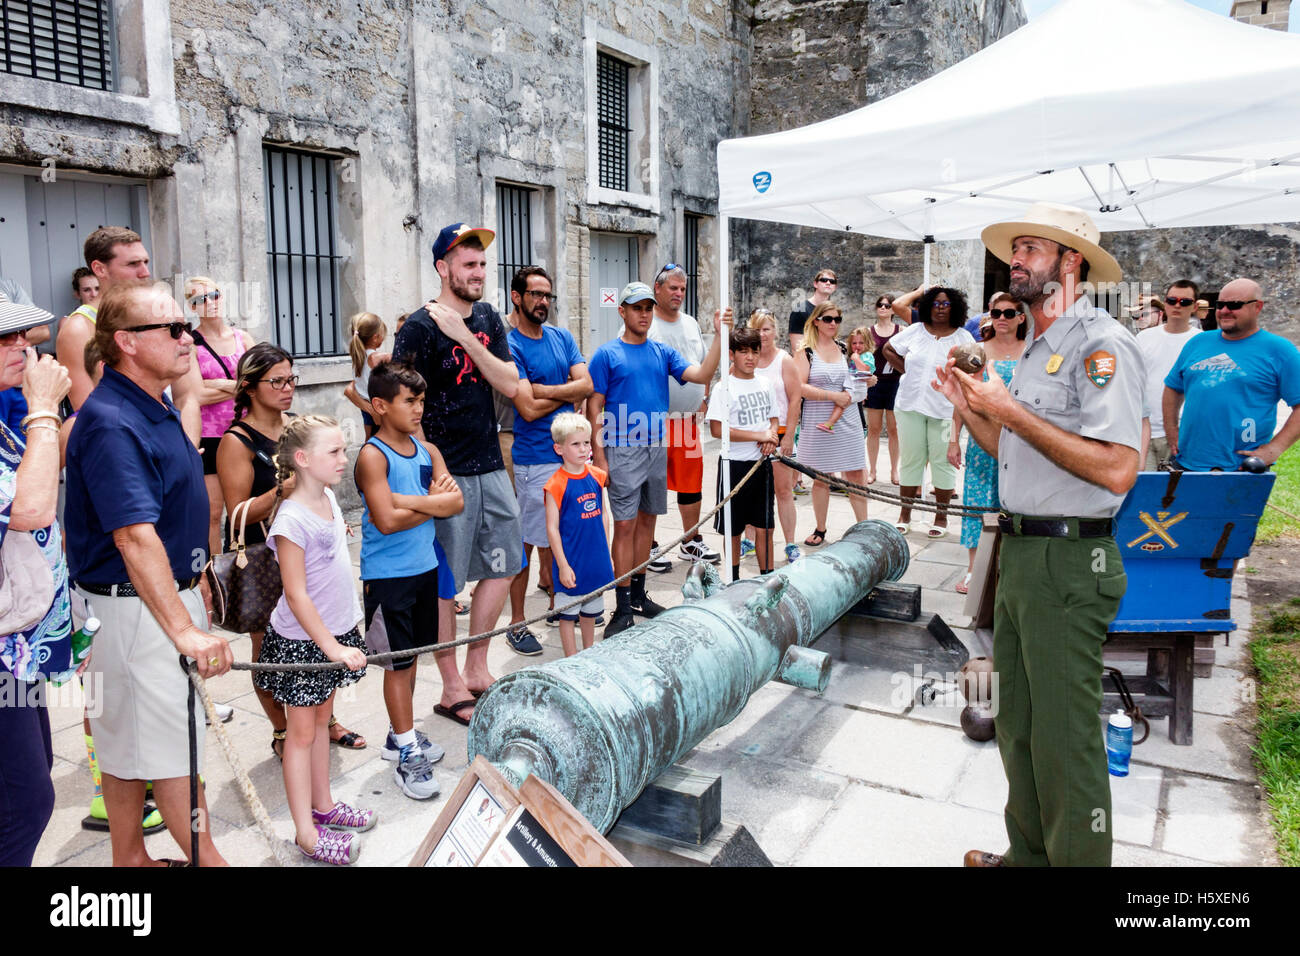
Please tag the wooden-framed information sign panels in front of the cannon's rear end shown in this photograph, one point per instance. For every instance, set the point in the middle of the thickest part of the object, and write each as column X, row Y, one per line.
column 486, row 808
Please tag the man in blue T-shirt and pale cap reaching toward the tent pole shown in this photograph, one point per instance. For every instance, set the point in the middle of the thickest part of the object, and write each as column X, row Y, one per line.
column 627, row 410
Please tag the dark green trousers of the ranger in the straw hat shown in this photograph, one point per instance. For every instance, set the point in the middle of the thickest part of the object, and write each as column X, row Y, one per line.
column 1056, row 599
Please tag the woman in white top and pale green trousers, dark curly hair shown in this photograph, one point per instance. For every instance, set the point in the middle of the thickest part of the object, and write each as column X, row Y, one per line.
column 925, row 417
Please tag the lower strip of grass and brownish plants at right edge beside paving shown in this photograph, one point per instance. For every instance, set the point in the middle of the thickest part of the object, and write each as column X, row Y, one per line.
column 1276, row 651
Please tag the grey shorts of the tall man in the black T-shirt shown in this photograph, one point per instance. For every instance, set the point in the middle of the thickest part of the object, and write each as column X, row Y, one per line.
column 486, row 540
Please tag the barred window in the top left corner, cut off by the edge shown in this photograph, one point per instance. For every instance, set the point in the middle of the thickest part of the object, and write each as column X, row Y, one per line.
column 63, row 41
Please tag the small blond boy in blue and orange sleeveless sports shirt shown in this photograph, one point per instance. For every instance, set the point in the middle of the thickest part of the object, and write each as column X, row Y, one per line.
column 575, row 527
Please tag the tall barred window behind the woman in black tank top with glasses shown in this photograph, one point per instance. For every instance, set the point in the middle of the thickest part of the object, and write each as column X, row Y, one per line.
column 302, row 257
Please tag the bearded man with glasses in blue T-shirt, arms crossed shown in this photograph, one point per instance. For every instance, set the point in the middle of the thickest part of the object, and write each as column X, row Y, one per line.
column 552, row 379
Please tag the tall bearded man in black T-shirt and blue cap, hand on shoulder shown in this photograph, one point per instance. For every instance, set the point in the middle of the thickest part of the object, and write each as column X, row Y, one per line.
column 460, row 345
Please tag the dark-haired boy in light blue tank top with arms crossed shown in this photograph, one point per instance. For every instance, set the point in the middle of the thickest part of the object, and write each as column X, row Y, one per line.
column 405, row 485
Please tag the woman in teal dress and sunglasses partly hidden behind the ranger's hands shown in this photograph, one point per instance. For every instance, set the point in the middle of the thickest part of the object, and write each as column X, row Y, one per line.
column 1004, row 344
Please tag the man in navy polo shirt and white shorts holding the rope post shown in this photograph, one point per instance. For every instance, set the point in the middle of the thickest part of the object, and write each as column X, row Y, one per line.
column 137, row 546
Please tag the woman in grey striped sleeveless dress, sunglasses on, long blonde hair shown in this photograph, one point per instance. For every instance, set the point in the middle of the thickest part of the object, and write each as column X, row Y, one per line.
column 824, row 371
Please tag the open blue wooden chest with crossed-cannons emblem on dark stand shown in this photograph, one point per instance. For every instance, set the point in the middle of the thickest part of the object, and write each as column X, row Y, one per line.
column 1180, row 535
